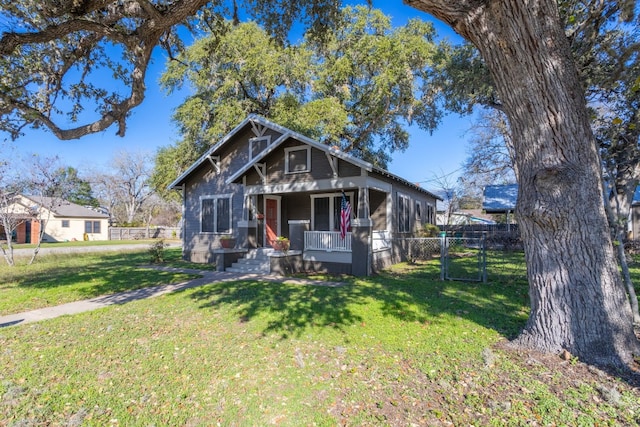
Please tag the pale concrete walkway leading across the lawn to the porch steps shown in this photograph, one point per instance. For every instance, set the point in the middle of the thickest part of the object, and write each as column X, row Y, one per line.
column 150, row 292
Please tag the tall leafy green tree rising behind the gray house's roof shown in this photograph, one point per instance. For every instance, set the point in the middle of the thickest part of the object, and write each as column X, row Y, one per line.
column 357, row 88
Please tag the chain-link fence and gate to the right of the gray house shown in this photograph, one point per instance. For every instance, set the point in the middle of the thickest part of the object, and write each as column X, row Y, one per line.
column 461, row 258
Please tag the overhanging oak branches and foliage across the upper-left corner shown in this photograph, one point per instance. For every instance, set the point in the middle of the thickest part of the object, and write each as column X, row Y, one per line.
column 84, row 62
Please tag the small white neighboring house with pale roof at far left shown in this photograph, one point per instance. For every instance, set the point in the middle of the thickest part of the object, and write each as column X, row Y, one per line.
column 63, row 220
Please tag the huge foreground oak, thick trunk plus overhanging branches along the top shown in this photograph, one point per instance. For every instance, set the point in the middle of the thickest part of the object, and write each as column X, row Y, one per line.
column 578, row 302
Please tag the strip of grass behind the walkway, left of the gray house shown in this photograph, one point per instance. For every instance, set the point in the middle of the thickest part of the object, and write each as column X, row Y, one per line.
column 60, row 278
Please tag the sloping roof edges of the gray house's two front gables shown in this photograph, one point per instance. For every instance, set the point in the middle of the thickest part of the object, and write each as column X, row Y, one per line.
column 286, row 134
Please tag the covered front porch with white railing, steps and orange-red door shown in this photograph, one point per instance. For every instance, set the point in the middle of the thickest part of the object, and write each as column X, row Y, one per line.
column 311, row 221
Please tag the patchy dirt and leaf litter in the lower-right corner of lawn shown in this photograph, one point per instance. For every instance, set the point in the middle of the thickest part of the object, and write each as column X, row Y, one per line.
column 534, row 388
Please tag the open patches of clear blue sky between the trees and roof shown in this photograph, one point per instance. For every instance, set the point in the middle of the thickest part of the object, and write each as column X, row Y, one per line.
column 150, row 127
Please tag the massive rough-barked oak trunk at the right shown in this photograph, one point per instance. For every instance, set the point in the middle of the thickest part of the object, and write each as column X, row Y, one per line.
column 578, row 301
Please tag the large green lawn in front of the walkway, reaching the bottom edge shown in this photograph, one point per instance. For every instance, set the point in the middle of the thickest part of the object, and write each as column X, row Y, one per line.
column 401, row 348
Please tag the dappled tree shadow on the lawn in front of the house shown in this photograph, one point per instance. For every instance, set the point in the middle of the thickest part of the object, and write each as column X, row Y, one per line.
column 411, row 296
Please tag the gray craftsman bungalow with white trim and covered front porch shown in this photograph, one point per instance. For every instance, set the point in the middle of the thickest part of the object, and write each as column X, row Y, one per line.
column 263, row 181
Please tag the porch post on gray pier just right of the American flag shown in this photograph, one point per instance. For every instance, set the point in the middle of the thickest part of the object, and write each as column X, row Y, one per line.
column 361, row 236
